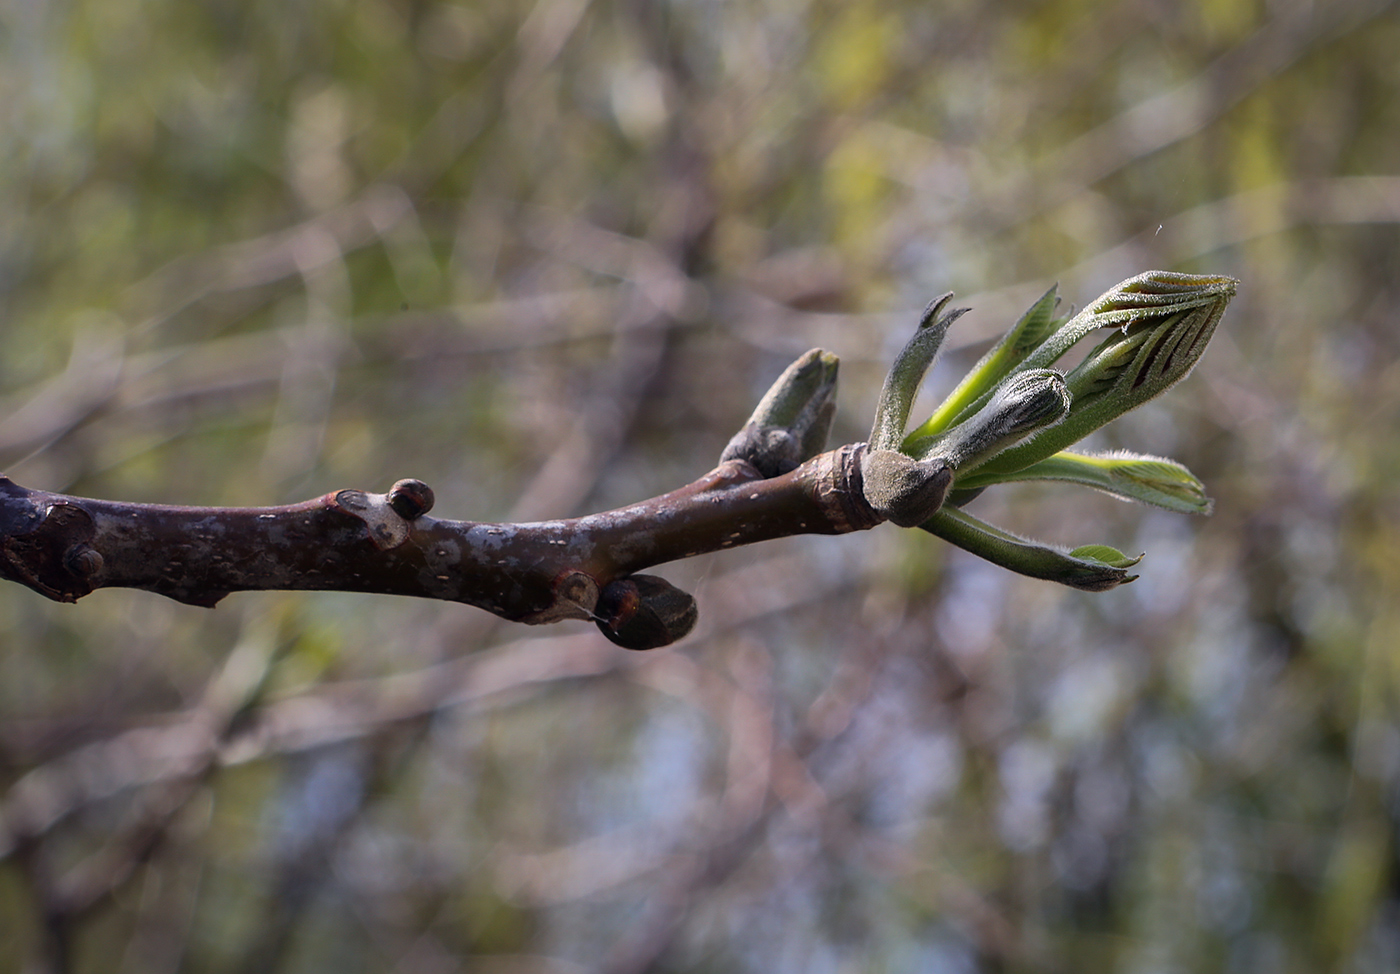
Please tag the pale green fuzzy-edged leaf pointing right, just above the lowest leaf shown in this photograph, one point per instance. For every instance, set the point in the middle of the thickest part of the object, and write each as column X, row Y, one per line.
column 1130, row 477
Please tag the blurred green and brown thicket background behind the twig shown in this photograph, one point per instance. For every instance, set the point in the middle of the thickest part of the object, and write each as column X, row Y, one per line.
column 547, row 255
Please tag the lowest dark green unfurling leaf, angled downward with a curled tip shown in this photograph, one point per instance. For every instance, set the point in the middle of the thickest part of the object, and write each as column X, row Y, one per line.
column 1091, row 569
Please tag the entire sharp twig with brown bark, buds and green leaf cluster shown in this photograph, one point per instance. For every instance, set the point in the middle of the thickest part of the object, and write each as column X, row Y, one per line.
column 1009, row 421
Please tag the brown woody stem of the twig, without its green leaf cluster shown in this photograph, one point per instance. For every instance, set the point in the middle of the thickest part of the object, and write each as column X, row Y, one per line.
column 65, row 546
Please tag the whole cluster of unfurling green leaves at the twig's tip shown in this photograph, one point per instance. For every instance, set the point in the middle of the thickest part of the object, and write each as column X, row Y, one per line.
column 1013, row 418
